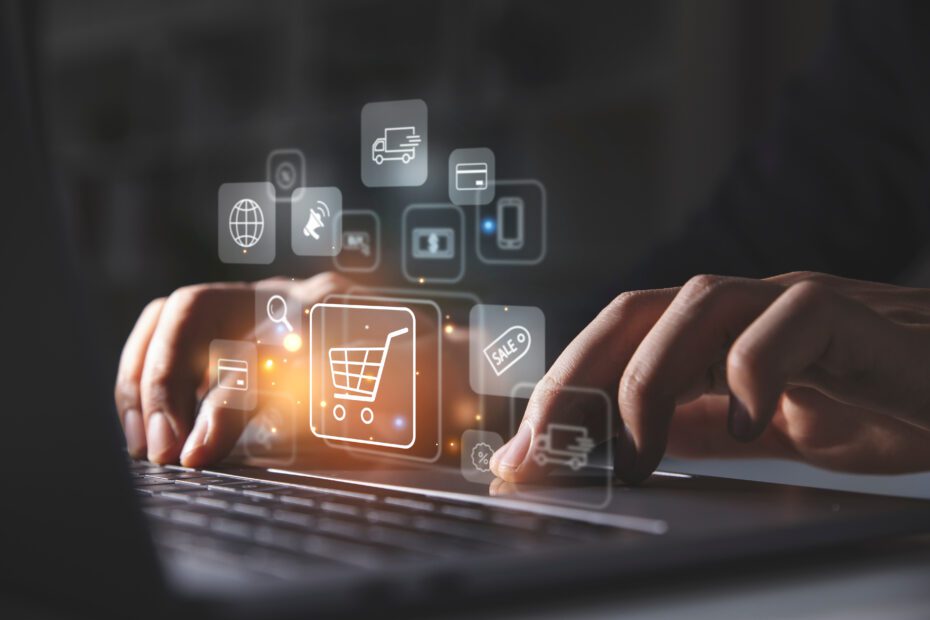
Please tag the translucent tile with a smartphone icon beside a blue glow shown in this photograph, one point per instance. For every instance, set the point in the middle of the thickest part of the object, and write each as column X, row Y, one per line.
column 512, row 229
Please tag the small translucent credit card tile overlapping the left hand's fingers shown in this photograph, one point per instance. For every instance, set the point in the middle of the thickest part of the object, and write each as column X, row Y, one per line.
column 234, row 373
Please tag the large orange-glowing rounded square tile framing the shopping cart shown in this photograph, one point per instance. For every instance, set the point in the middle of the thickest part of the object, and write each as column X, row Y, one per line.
column 363, row 374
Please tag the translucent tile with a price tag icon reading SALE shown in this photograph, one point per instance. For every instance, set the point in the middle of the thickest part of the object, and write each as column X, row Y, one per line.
column 507, row 347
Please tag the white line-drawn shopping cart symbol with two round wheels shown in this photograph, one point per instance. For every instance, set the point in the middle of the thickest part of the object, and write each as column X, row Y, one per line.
column 357, row 372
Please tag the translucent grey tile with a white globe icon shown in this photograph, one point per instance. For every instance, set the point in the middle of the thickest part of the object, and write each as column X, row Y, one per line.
column 246, row 223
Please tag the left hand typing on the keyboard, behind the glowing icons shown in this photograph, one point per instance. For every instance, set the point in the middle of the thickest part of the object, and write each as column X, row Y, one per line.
column 162, row 369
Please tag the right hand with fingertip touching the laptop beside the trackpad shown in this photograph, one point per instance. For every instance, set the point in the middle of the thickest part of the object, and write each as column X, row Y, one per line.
column 806, row 366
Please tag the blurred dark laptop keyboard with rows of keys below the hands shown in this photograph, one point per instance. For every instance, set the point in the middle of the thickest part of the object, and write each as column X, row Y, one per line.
column 281, row 530
